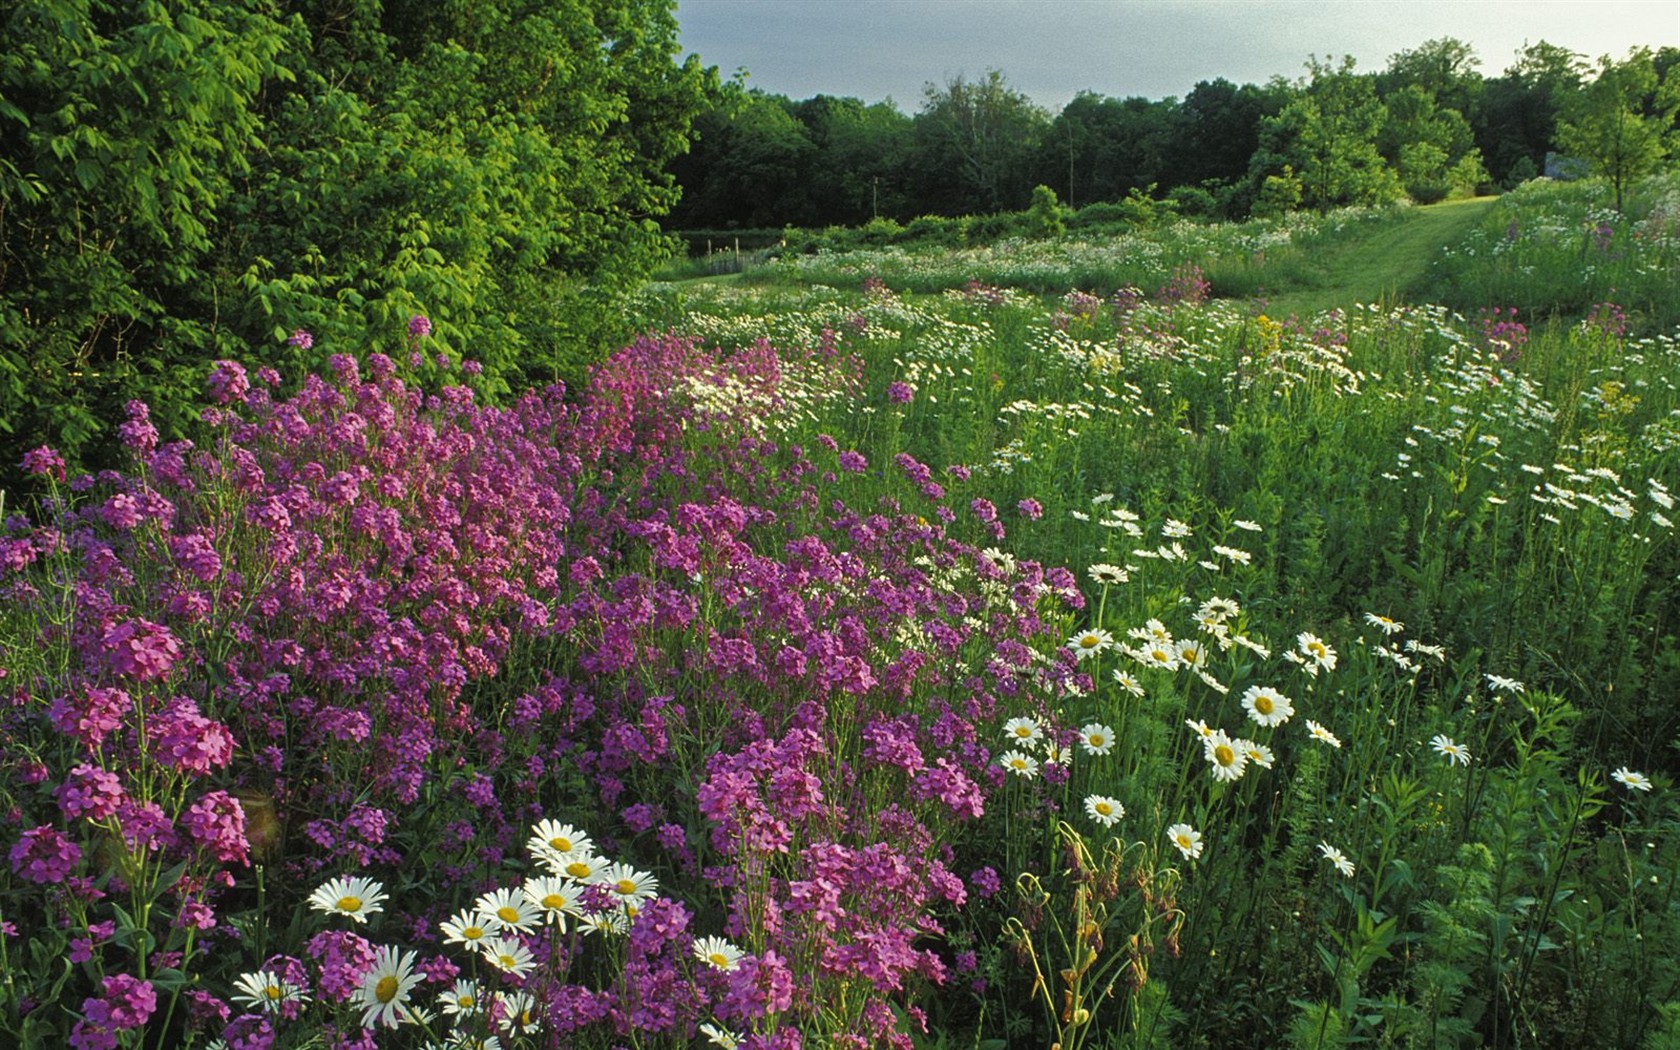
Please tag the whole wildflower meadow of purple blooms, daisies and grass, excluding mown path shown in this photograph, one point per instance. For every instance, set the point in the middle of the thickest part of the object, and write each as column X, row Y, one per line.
column 1036, row 646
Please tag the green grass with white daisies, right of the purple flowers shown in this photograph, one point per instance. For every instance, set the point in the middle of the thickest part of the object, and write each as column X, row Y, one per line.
column 1451, row 549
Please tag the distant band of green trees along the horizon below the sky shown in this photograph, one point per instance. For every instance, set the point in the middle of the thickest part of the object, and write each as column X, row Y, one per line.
column 1427, row 125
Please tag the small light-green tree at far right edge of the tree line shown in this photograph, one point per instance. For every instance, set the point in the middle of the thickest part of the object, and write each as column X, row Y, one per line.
column 1622, row 123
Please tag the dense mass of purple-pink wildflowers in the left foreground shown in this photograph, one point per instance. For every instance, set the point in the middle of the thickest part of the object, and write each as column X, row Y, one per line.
column 360, row 597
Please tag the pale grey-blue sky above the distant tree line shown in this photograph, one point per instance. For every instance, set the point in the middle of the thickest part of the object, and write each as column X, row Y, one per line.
column 1054, row 50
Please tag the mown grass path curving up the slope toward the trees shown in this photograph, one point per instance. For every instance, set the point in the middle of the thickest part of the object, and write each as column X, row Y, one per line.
column 1387, row 266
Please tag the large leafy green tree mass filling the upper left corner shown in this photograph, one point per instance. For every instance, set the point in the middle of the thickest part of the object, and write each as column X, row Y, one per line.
column 202, row 181
